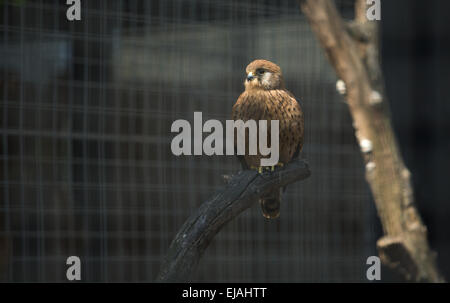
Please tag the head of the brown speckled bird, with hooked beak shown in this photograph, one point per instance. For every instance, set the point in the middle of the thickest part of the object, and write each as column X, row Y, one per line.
column 263, row 74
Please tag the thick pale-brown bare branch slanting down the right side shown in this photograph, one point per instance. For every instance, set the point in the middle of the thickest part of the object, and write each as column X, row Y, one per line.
column 353, row 51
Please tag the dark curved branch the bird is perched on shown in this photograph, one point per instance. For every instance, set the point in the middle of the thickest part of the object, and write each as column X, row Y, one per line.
column 240, row 193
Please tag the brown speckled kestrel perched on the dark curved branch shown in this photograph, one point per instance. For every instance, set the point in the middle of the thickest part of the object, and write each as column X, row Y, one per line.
column 266, row 98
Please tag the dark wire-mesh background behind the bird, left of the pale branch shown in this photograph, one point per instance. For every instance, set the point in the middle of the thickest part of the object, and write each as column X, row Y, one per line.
column 86, row 110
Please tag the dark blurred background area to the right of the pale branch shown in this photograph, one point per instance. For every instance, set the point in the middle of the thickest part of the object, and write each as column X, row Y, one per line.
column 416, row 64
